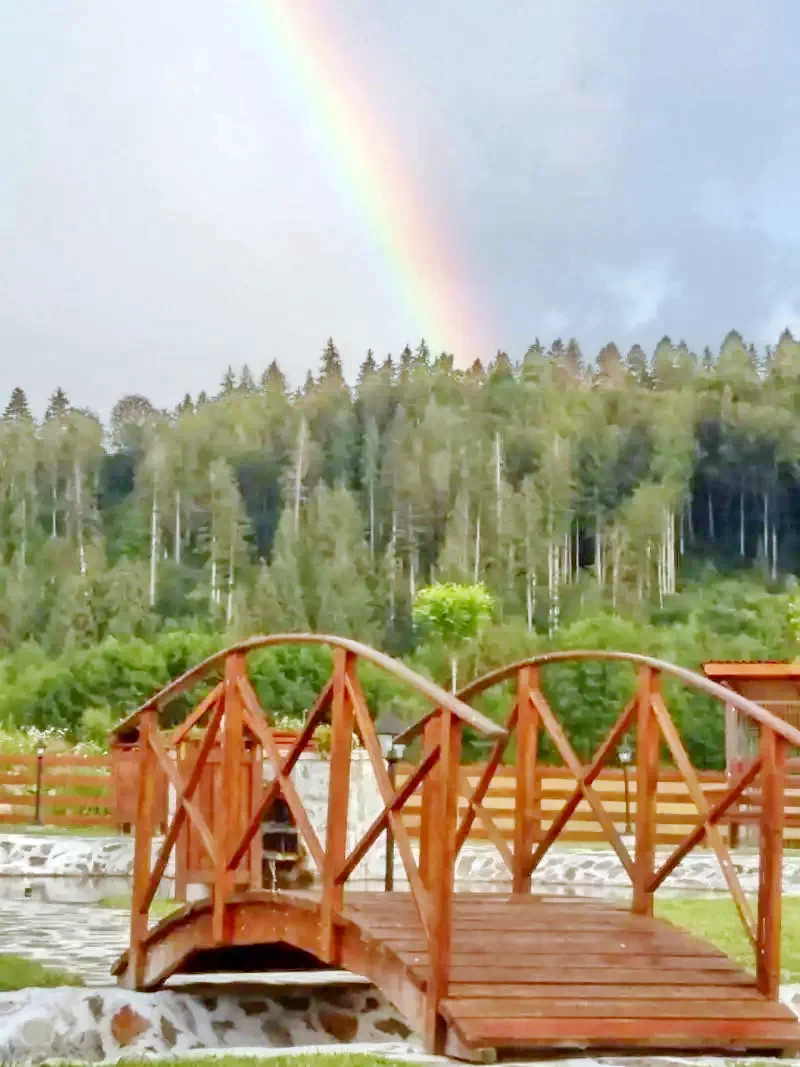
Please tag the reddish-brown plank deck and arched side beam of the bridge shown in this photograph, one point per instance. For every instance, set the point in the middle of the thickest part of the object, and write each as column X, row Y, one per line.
column 529, row 974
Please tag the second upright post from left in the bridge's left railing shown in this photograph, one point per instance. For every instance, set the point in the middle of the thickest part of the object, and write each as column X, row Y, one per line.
column 230, row 813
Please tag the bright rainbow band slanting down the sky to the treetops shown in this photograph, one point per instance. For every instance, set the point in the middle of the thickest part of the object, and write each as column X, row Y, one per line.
column 423, row 269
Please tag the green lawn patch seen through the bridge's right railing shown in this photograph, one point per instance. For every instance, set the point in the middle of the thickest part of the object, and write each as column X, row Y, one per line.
column 718, row 922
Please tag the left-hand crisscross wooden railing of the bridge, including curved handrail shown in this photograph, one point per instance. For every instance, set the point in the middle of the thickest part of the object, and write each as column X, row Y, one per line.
column 233, row 716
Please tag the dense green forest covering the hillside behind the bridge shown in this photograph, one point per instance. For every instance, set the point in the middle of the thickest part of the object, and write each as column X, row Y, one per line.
column 652, row 498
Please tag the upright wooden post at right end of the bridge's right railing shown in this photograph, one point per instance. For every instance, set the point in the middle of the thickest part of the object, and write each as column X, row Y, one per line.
column 774, row 773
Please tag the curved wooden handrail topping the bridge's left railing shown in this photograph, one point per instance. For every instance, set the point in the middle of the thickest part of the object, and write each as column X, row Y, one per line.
column 438, row 696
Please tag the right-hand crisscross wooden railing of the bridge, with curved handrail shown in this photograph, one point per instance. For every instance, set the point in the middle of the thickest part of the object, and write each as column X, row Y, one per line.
column 646, row 716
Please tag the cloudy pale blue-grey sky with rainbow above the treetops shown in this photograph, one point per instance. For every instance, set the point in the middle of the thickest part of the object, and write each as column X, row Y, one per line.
column 194, row 184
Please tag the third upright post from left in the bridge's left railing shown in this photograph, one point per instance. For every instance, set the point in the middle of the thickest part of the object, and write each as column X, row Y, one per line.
column 339, row 789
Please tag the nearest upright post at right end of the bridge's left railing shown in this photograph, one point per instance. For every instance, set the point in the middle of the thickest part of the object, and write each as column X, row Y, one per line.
column 442, row 872
